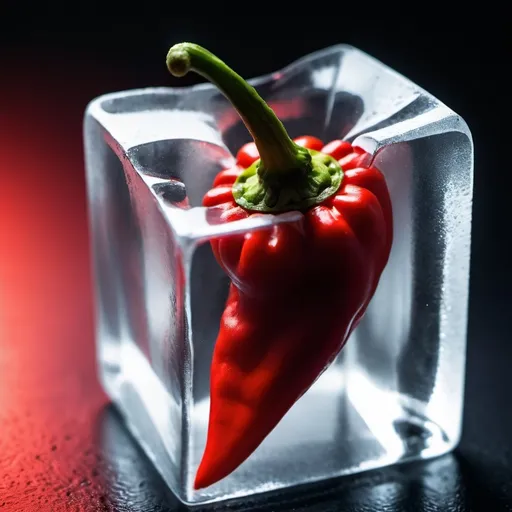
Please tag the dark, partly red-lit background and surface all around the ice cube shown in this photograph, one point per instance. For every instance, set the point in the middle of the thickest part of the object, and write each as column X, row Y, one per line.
column 62, row 447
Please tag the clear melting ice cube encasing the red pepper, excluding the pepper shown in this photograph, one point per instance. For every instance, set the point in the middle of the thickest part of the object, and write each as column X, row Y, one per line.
column 395, row 392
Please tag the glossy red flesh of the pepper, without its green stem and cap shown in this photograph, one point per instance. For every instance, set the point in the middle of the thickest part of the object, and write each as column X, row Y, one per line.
column 297, row 293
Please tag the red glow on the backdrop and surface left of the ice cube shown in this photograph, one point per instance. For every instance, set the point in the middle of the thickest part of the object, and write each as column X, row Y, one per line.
column 49, row 394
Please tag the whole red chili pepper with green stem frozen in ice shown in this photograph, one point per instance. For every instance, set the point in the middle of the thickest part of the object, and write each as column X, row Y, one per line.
column 297, row 290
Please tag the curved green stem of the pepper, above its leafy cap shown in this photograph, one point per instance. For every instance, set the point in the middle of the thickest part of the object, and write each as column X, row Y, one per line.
column 277, row 151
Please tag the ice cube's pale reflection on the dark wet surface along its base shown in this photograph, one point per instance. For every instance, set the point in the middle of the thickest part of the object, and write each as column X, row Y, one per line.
column 444, row 483
